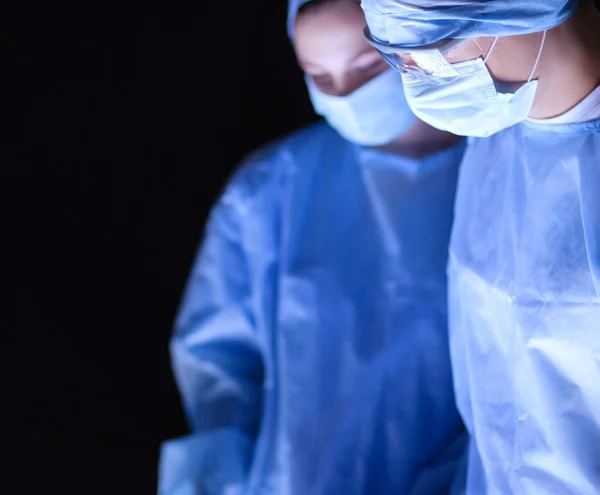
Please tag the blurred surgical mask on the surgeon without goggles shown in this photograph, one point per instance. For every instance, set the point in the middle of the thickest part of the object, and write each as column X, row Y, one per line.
column 373, row 115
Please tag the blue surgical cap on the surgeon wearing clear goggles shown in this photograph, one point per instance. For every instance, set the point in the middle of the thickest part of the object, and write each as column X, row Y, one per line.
column 421, row 22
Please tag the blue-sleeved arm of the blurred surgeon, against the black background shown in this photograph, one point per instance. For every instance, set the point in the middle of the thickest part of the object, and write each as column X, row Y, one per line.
column 217, row 364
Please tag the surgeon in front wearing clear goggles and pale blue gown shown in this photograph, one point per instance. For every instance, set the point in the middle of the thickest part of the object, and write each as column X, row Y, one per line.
column 523, row 78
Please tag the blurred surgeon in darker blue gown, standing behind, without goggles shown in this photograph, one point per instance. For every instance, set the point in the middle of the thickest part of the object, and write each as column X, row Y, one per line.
column 311, row 348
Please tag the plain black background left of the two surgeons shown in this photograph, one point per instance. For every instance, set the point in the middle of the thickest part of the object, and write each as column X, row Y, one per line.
column 126, row 125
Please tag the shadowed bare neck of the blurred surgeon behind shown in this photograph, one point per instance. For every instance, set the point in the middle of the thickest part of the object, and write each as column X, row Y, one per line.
column 420, row 141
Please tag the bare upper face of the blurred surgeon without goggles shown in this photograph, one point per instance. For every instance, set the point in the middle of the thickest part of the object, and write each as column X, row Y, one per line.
column 331, row 49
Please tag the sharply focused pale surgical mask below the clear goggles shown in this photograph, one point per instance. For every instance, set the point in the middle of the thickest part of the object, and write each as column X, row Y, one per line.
column 467, row 101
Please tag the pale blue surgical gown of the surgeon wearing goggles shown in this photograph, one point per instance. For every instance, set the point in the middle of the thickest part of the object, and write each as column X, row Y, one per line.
column 525, row 309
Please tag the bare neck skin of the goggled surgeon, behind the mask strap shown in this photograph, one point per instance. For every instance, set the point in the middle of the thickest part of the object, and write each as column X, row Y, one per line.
column 570, row 65
